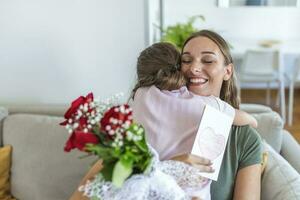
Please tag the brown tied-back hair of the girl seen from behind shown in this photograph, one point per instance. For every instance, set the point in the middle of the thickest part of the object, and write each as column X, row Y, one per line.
column 159, row 65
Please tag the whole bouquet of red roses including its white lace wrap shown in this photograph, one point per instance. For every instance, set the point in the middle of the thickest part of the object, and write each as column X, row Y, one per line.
column 131, row 168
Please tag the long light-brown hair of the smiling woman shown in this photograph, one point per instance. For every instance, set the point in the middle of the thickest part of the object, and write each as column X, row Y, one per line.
column 229, row 90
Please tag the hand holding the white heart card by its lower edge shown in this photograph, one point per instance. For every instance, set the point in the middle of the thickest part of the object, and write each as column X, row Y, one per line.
column 203, row 164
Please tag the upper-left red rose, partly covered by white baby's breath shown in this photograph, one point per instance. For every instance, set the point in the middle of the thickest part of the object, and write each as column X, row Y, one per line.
column 75, row 106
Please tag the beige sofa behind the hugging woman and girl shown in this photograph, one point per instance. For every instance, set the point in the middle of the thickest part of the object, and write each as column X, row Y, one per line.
column 42, row 171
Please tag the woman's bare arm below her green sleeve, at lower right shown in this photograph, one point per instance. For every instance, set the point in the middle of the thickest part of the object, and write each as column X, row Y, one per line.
column 247, row 183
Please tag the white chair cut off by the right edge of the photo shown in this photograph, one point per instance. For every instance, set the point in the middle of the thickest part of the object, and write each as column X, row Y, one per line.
column 291, row 80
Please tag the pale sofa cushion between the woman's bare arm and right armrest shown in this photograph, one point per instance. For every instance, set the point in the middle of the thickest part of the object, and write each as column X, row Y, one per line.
column 280, row 180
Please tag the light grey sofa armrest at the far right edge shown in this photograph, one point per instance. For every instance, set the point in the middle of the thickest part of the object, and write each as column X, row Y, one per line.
column 290, row 150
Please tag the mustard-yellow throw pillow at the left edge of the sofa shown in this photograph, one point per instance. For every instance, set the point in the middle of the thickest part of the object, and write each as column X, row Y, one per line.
column 5, row 162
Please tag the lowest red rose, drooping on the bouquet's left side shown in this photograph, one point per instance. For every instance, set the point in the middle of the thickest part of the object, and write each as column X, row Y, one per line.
column 79, row 140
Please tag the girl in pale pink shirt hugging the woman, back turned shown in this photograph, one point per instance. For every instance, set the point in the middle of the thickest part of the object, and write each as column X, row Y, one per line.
column 170, row 113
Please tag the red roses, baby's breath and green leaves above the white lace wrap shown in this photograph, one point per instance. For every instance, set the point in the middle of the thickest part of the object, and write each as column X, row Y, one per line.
column 108, row 131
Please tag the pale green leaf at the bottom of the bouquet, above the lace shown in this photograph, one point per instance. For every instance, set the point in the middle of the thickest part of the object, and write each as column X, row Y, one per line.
column 121, row 172
